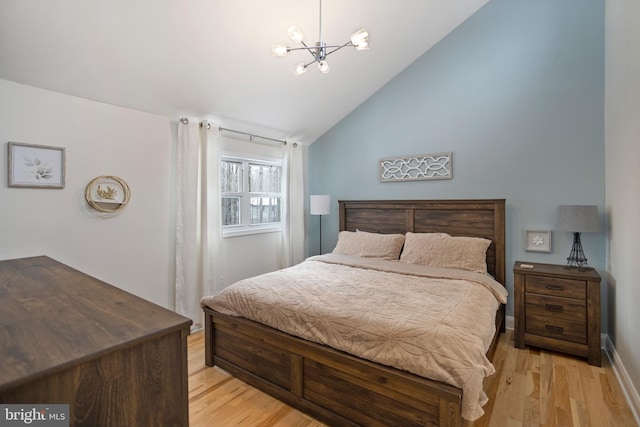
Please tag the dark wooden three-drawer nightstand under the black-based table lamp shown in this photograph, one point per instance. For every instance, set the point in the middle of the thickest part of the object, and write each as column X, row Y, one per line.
column 558, row 309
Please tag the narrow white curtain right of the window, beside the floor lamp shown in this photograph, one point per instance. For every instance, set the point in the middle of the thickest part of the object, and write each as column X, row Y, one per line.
column 293, row 205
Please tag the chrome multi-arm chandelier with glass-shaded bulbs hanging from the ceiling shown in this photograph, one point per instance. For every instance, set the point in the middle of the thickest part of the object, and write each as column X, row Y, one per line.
column 319, row 52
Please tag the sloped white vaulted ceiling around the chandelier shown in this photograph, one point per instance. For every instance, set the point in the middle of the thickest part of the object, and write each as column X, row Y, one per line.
column 212, row 58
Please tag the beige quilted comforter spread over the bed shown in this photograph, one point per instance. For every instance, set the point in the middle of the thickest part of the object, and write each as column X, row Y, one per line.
column 436, row 323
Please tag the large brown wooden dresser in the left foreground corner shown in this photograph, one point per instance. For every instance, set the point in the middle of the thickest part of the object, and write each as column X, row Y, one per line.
column 68, row 338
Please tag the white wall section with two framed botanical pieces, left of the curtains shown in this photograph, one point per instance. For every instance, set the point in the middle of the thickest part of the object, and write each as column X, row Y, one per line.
column 132, row 249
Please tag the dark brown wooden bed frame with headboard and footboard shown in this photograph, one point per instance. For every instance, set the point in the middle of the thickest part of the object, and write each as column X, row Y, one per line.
column 341, row 389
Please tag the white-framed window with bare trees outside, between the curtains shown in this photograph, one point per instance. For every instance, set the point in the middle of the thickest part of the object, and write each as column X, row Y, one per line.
column 251, row 195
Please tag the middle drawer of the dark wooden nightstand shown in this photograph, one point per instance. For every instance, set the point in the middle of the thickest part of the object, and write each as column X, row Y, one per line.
column 563, row 309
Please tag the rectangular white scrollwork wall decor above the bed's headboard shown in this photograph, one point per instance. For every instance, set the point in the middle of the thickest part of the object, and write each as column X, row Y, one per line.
column 416, row 168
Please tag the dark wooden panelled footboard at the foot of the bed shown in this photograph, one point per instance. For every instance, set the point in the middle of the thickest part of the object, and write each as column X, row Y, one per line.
column 330, row 385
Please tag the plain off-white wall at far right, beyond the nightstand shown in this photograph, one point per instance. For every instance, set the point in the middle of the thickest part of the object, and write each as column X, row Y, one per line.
column 622, row 130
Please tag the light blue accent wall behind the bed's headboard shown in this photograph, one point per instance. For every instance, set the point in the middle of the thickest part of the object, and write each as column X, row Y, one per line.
column 516, row 93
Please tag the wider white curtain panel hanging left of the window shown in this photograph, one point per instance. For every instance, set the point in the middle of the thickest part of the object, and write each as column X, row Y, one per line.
column 198, row 219
